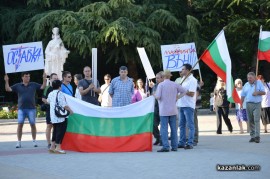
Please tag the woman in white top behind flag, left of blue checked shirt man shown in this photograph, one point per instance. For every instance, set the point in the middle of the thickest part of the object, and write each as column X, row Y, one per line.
column 106, row 99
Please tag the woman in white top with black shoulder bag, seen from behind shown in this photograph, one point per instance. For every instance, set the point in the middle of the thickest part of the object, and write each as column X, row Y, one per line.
column 59, row 124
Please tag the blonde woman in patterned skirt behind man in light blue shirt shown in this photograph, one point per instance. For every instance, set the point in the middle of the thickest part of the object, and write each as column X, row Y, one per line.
column 241, row 114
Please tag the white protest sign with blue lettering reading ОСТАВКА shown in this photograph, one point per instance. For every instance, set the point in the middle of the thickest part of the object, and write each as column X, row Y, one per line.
column 23, row 57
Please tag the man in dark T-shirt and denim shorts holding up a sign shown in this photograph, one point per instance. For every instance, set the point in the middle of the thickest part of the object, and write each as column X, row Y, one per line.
column 26, row 91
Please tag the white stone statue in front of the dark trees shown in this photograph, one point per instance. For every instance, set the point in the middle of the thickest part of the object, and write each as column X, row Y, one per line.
column 55, row 54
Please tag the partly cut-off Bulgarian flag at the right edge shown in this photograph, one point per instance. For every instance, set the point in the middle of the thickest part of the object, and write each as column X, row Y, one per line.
column 264, row 46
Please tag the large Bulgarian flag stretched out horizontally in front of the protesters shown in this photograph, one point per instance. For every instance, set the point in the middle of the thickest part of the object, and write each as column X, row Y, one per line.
column 120, row 129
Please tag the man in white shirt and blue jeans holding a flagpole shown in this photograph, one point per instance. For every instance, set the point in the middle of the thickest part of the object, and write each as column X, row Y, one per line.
column 186, row 105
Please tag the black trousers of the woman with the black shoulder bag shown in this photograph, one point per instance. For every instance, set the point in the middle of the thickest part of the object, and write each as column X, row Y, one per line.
column 59, row 130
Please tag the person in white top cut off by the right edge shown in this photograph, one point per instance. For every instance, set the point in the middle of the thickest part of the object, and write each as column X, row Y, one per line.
column 265, row 110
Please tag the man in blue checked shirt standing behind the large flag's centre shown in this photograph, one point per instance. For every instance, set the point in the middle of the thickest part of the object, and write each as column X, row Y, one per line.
column 121, row 89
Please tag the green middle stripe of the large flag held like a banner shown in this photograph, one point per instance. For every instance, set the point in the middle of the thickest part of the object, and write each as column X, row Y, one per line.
column 111, row 127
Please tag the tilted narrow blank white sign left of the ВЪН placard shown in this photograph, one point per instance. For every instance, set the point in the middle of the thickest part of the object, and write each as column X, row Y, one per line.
column 146, row 64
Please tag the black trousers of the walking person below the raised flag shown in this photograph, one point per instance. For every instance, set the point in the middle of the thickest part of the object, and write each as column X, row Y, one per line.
column 224, row 112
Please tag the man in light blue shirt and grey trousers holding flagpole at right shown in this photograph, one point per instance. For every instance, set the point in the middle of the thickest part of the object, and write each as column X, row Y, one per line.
column 252, row 93
